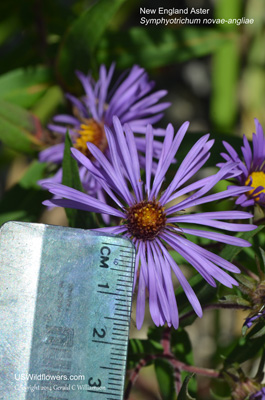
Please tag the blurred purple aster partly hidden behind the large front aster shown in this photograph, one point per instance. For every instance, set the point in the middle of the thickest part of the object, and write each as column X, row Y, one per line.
column 131, row 99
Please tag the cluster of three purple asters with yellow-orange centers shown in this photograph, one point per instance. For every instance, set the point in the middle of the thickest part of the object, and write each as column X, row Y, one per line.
column 131, row 171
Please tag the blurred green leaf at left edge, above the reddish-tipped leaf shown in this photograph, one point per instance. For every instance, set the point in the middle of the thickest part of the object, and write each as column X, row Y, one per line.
column 25, row 86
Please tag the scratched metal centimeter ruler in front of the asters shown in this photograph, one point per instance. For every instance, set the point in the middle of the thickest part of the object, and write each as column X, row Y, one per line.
column 65, row 304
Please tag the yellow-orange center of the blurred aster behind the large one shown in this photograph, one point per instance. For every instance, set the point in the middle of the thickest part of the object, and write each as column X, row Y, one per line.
column 90, row 131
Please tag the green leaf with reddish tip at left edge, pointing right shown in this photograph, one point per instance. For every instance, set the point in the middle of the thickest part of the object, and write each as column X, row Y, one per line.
column 18, row 128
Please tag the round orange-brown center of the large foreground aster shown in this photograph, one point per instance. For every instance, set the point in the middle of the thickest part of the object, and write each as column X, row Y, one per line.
column 146, row 219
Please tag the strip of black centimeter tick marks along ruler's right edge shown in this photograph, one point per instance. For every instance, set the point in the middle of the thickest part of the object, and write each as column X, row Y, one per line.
column 119, row 323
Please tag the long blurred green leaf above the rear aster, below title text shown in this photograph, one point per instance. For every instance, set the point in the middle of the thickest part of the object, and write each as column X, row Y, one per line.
column 156, row 47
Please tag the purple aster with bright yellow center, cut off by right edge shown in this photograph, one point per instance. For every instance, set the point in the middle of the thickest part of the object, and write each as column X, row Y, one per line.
column 252, row 168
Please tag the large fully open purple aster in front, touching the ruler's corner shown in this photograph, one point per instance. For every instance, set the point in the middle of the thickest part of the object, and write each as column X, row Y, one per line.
column 153, row 221
